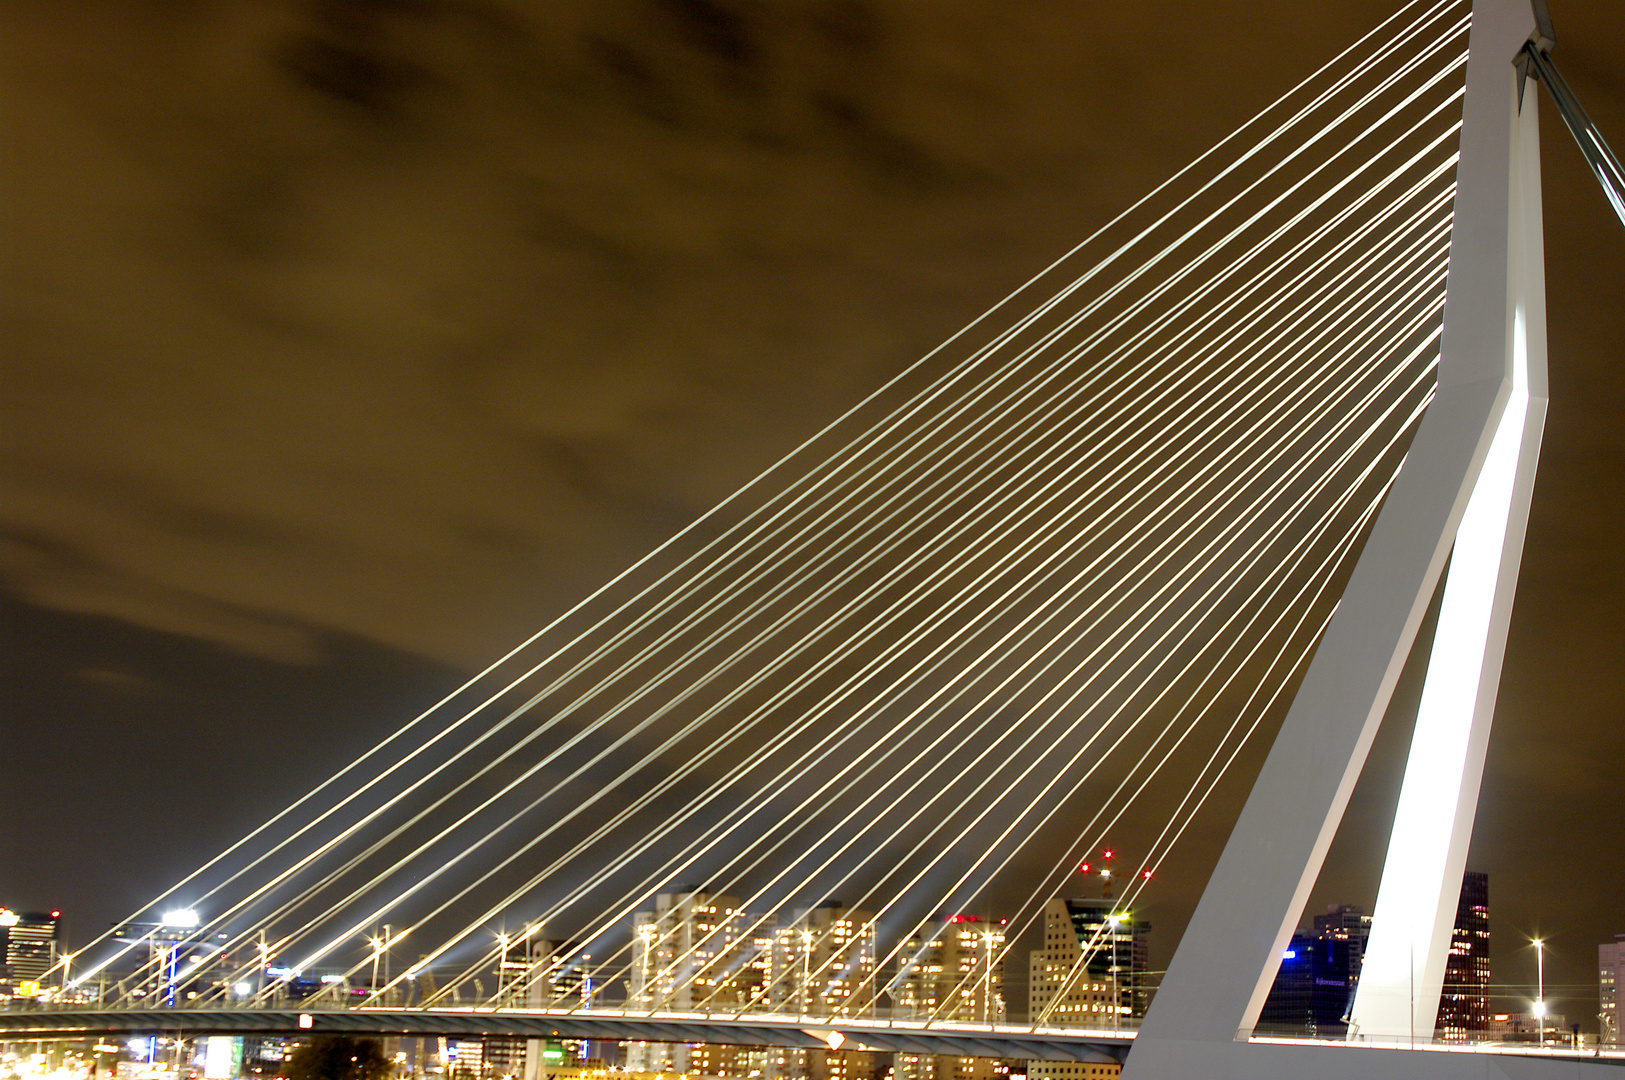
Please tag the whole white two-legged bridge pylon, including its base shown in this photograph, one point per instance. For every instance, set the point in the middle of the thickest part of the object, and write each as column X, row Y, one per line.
column 1463, row 496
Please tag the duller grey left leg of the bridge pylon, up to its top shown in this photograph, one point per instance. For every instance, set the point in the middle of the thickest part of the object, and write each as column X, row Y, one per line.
column 1228, row 959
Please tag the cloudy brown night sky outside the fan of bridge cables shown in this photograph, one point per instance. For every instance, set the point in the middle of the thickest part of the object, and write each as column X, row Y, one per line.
column 347, row 342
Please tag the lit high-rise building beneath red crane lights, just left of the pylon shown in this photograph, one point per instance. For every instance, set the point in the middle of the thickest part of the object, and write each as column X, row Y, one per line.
column 1090, row 972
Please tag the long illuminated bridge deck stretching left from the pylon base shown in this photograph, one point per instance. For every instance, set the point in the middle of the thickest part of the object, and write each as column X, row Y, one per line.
column 903, row 1037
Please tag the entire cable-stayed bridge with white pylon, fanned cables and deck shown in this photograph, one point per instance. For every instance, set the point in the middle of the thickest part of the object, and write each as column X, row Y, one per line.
column 810, row 772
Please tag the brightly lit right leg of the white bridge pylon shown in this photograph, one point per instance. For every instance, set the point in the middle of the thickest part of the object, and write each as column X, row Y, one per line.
column 1416, row 904
